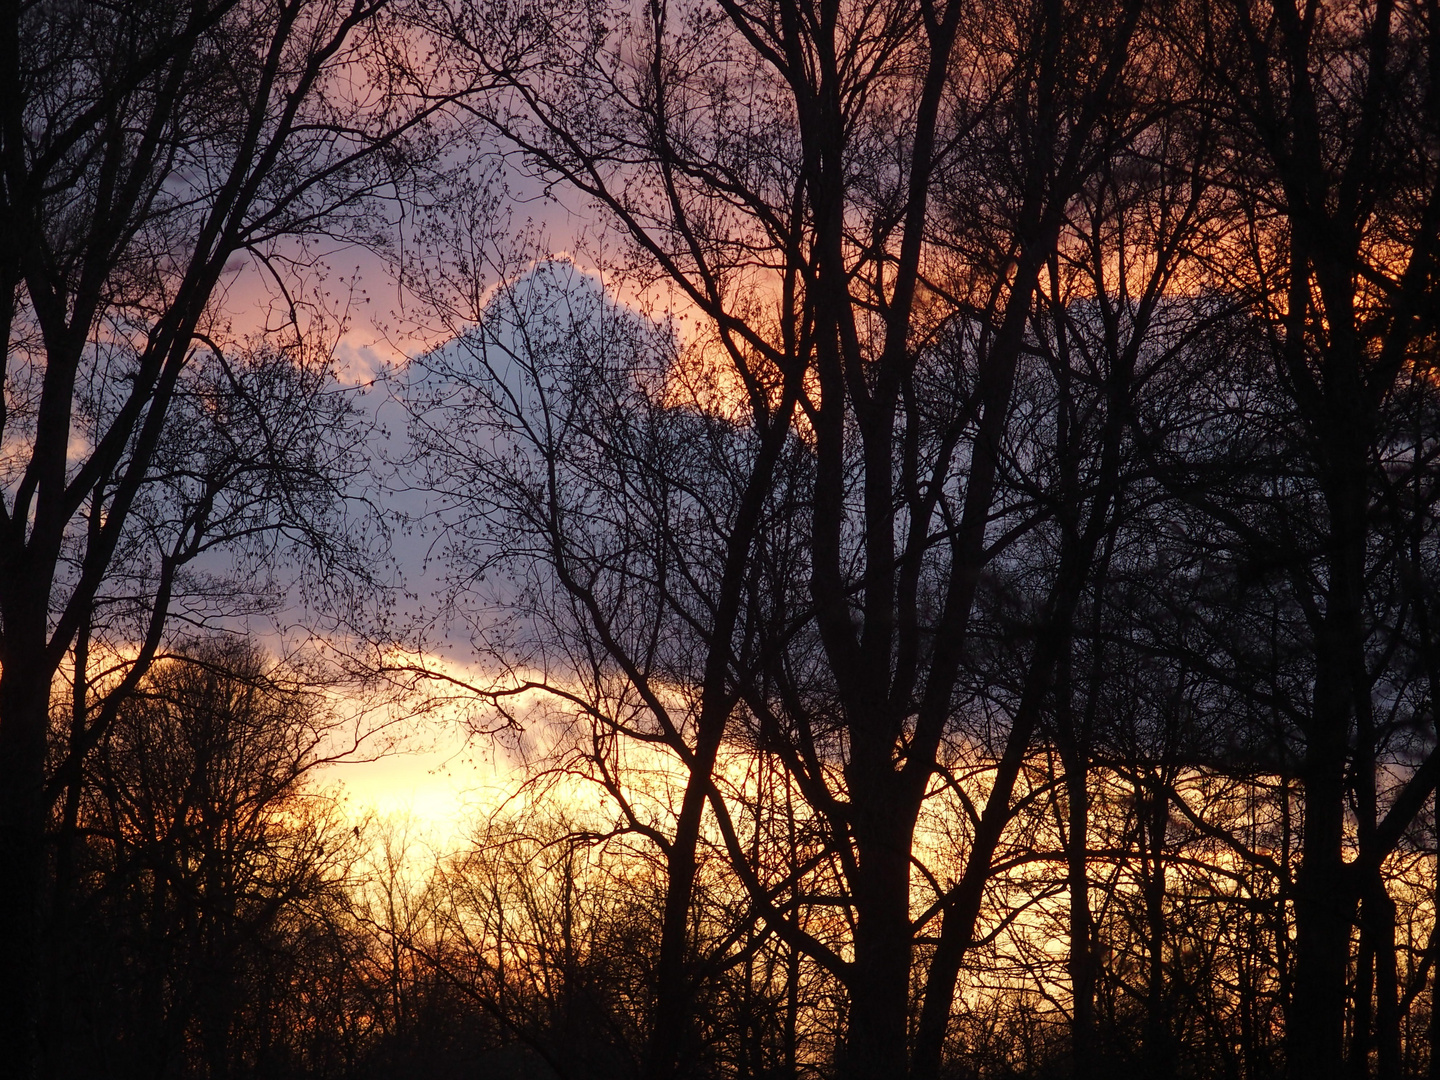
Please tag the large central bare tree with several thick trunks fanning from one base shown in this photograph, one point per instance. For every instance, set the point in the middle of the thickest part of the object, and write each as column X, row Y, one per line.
column 860, row 202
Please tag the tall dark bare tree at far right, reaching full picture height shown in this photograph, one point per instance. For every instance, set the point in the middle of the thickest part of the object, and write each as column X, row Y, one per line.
column 1338, row 210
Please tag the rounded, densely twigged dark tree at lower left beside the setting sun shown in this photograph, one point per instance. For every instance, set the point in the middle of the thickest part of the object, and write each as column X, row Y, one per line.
column 220, row 915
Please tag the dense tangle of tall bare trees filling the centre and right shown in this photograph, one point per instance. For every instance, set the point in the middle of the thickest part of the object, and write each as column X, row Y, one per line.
column 1102, row 342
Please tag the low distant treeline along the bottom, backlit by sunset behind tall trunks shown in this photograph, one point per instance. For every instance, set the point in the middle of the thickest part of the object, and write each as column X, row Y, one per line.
column 225, row 918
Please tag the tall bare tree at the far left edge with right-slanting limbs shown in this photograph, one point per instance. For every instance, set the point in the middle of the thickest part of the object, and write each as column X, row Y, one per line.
column 145, row 148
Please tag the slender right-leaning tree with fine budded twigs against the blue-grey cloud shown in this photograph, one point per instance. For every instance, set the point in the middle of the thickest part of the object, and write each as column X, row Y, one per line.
column 570, row 454
